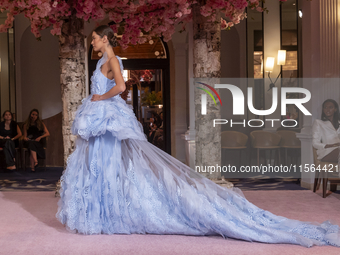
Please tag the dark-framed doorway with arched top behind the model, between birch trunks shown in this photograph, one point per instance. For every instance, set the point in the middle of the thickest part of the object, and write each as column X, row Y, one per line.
column 152, row 55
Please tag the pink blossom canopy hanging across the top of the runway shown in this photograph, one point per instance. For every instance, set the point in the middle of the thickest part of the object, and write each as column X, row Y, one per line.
column 152, row 17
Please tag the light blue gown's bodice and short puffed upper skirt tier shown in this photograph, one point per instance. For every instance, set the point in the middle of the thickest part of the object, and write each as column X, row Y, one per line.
column 109, row 115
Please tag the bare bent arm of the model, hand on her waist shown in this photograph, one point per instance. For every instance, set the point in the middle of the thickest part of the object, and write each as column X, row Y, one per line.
column 120, row 84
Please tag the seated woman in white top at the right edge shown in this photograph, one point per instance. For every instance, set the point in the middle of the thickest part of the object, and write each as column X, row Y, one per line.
column 326, row 132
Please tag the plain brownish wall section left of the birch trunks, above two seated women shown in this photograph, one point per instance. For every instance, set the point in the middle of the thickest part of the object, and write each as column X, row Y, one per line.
column 37, row 73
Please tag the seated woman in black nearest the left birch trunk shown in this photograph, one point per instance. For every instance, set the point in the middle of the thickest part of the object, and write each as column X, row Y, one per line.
column 34, row 130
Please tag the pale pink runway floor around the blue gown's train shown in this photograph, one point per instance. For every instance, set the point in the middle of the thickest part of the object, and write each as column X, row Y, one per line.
column 28, row 226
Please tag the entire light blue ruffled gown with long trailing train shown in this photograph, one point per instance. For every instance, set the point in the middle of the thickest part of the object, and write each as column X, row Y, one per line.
column 118, row 183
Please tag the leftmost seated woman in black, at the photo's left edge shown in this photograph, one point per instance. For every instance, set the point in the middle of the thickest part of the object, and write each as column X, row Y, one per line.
column 9, row 134
